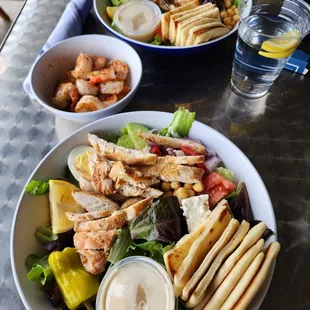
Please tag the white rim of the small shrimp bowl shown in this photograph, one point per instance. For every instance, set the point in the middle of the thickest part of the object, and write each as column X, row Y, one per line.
column 51, row 108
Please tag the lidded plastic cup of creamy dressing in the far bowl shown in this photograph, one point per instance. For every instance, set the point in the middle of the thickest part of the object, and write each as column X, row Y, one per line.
column 138, row 19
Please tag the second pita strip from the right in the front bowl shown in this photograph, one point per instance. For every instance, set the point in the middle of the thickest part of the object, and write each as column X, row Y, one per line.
column 243, row 283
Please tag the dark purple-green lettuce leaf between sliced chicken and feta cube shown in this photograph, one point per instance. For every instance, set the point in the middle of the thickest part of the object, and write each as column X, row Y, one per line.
column 161, row 221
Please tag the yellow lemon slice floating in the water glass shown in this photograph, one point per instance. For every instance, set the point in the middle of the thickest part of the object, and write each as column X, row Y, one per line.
column 282, row 46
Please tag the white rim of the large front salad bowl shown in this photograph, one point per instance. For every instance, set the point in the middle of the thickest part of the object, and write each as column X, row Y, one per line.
column 128, row 114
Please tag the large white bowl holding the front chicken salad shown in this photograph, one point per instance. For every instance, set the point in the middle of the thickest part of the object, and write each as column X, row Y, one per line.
column 33, row 211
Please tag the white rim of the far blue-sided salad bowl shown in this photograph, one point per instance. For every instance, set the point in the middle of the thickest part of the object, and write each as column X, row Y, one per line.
column 163, row 47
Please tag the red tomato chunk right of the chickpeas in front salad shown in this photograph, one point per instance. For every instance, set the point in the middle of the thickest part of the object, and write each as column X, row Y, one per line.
column 217, row 188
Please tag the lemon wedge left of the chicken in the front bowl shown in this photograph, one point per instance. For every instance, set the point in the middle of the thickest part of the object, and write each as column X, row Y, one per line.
column 61, row 201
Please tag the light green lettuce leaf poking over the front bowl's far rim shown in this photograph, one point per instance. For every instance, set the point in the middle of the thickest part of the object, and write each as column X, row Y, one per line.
column 180, row 125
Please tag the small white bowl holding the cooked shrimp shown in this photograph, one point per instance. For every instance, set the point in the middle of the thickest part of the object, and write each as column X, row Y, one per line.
column 61, row 58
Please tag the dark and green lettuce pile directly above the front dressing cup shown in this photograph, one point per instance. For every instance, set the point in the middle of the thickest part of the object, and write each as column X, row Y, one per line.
column 151, row 233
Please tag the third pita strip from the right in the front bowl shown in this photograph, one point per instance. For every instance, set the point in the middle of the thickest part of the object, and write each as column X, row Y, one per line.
column 233, row 277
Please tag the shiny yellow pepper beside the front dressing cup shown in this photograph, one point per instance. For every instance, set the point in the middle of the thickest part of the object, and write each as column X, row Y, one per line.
column 75, row 283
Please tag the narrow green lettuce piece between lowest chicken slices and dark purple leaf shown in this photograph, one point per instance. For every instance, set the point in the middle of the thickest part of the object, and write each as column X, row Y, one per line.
column 120, row 246
